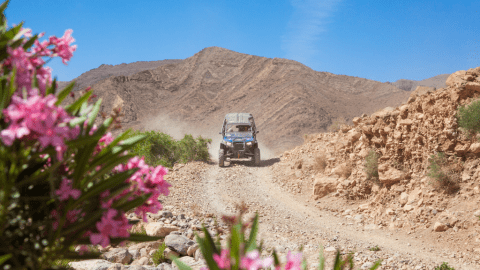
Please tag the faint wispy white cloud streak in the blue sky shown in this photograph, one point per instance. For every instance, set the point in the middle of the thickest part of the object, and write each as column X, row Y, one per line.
column 308, row 21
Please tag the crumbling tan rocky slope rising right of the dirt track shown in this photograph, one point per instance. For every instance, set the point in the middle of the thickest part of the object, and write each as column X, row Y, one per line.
column 330, row 167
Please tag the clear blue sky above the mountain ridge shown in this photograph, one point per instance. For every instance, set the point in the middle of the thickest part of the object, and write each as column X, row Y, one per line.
column 378, row 40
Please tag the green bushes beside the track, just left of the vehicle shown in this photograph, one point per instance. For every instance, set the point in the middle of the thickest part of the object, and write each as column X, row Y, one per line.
column 161, row 149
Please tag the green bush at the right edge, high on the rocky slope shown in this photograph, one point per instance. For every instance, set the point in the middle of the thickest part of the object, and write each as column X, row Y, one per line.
column 468, row 118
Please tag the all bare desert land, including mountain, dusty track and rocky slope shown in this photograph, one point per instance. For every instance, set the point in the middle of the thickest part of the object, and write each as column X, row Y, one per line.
column 311, row 188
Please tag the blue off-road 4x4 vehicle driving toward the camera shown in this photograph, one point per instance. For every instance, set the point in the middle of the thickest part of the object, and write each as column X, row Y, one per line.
column 239, row 139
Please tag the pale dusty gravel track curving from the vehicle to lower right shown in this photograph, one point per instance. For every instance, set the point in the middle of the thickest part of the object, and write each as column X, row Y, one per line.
column 288, row 222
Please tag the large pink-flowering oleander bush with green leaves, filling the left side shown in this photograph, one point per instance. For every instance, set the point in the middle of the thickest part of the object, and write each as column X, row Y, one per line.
column 65, row 182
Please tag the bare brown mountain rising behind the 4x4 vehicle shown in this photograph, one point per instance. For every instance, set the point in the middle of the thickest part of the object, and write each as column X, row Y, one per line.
column 286, row 98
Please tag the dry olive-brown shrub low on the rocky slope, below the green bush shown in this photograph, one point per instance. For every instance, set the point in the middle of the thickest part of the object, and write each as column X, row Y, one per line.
column 443, row 172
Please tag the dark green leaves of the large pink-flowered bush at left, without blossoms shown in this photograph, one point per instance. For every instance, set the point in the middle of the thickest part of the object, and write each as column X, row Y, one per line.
column 30, row 176
